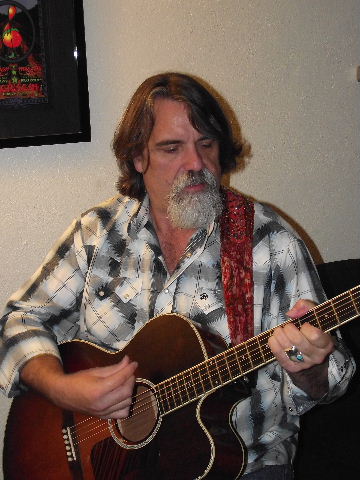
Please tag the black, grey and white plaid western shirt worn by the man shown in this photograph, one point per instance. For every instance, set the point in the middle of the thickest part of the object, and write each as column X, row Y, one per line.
column 106, row 277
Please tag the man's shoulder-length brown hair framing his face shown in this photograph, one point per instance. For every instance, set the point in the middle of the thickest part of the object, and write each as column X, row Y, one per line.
column 205, row 115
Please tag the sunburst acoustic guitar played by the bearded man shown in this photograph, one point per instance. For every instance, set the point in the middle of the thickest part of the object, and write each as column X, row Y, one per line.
column 179, row 426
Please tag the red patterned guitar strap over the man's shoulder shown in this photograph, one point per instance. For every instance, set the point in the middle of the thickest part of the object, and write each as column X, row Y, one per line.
column 236, row 230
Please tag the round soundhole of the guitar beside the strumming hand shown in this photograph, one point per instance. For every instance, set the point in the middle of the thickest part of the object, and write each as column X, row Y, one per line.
column 141, row 424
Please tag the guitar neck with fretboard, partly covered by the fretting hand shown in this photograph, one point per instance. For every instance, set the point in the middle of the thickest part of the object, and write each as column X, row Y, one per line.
column 242, row 359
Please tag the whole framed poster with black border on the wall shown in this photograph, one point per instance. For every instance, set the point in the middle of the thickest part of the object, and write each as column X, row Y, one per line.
column 43, row 79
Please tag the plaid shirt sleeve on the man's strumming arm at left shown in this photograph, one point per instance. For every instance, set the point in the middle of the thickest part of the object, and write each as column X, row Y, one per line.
column 45, row 311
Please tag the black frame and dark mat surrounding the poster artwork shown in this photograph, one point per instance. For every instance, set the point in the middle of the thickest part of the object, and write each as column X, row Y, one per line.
column 64, row 116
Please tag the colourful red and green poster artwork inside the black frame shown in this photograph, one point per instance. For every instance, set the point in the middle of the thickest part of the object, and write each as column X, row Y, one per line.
column 22, row 55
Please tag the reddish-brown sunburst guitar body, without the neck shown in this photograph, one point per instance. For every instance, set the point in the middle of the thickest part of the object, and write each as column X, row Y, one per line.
column 191, row 442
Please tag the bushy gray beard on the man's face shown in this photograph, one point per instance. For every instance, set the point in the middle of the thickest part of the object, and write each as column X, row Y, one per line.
column 194, row 210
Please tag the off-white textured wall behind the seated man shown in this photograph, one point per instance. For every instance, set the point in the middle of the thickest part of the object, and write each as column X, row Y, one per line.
column 287, row 68
